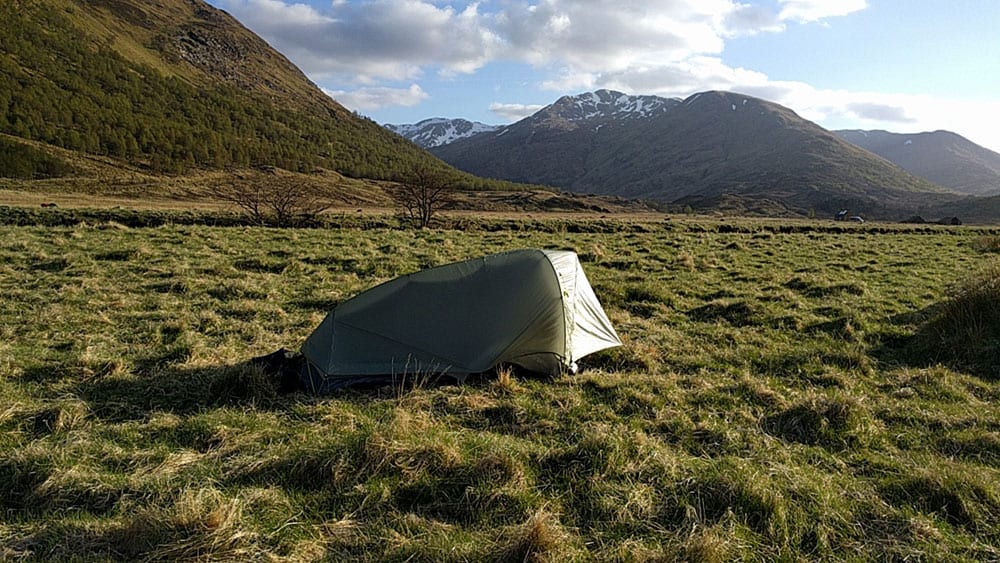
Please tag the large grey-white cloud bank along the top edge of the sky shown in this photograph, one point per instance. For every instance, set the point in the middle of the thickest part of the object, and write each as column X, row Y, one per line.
column 372, row 40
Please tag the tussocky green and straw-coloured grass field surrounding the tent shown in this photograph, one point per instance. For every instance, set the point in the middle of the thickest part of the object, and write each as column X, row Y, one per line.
column 780, row 395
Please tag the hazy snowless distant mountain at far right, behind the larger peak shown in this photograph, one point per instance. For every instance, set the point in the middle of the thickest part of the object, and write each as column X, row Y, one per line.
column 941, row 157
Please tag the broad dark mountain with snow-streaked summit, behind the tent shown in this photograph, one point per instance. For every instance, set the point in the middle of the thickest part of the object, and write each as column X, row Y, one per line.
column 708, row 147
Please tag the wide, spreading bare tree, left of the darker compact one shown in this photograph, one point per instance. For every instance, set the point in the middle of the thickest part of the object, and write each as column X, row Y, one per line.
column 277, row 203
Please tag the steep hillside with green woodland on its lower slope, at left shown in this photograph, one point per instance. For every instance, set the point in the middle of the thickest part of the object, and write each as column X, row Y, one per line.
column 171, row 87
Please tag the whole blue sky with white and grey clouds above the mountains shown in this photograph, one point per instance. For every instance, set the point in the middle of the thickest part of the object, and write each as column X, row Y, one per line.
column 904, row 66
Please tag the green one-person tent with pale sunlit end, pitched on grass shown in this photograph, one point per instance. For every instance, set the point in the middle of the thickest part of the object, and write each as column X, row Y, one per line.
column 531, row 308
